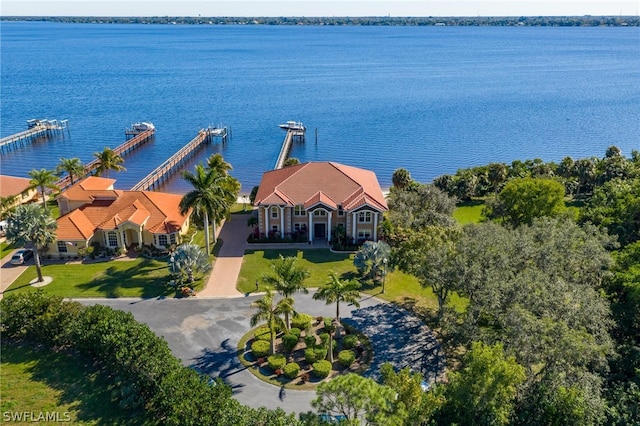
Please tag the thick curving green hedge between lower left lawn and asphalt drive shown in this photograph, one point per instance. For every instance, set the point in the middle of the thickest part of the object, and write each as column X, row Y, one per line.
column 143, row 372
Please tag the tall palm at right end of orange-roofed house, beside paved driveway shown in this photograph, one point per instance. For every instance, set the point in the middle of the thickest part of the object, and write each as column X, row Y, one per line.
column 201, row 198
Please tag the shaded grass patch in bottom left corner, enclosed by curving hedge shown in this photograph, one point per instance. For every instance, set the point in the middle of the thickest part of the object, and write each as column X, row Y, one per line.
column 38, row 381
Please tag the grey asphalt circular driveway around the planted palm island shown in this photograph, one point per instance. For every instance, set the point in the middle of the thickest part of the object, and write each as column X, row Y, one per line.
column 204, row 334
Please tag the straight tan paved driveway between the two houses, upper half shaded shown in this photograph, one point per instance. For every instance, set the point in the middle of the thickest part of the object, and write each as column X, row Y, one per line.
column 226, row 268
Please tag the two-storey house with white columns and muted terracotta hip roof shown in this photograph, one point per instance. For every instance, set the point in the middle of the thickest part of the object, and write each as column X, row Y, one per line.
column 312, row 199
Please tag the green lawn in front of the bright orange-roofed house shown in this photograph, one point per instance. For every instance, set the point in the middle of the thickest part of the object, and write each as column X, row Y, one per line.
column 136, row 278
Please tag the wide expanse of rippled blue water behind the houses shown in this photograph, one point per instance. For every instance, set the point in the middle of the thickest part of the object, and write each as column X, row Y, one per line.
column 429, row 99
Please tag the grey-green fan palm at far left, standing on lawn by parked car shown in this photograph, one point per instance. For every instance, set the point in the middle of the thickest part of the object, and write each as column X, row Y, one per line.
column 30, row 223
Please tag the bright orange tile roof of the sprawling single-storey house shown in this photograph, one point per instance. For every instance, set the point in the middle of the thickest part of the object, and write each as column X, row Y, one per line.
column 159, row 212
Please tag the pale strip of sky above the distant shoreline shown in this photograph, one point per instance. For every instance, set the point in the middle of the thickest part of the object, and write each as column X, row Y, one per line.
column 318, row 8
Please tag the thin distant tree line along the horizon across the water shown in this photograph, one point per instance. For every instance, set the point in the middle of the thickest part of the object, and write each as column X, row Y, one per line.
column 538, row 21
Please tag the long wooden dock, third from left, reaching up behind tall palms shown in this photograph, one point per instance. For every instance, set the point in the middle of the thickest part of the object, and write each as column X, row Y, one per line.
column 161, row 173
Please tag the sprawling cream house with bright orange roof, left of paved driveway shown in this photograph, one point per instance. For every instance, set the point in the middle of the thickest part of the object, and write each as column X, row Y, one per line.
column 91, row 212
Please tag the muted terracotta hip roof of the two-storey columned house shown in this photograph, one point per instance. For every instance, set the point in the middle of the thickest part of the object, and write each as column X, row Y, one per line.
column 340, row 184
